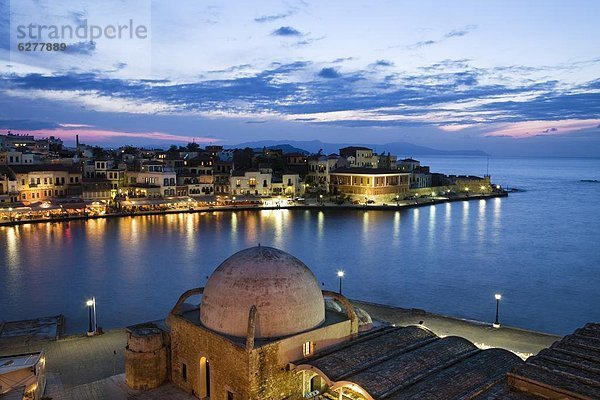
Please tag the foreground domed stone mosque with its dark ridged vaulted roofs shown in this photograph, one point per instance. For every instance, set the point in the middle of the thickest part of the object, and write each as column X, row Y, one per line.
column 263, row 329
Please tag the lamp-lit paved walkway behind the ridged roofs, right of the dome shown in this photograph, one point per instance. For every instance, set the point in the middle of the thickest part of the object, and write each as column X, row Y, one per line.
column 520, row 341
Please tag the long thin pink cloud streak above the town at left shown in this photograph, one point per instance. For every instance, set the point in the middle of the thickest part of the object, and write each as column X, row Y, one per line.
column 99, row 135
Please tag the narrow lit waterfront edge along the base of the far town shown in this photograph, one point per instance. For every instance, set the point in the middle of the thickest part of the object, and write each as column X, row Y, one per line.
column 229, row 208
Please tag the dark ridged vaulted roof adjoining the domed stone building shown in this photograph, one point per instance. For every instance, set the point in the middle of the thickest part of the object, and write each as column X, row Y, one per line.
column 413, row 363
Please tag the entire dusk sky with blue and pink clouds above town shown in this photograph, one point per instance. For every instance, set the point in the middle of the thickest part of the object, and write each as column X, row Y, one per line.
column 505, row 77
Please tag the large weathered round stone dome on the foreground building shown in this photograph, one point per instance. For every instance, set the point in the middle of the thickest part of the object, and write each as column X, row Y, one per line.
column 285, row 292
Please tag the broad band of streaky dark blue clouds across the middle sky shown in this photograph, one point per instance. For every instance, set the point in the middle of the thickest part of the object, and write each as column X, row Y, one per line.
column 435, row 90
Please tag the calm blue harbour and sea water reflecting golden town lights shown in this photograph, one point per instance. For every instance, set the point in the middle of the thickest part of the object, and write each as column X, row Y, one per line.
column 538, row 248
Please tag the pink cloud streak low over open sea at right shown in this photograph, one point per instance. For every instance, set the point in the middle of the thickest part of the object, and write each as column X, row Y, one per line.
column 542, row 128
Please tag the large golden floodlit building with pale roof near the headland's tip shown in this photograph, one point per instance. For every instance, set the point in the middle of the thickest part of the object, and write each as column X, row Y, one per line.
column 369, row 182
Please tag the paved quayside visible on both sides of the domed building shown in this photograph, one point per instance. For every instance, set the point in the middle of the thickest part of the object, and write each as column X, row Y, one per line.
column 80, row 367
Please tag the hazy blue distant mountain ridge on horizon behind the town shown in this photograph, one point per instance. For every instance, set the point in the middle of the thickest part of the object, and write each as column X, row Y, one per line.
column 397, row 148
